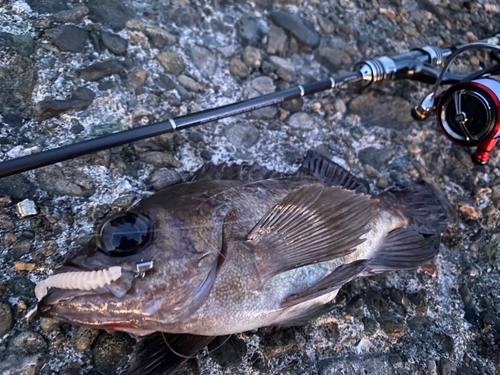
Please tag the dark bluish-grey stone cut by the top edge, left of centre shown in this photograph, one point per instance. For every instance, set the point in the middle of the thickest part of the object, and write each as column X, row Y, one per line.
column 112, row 13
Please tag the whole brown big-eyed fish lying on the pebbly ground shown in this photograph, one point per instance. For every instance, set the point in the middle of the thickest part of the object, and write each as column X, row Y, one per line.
column 236, row 248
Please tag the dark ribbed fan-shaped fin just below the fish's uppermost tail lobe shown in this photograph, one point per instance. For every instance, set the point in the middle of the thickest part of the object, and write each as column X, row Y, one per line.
column 402, row 249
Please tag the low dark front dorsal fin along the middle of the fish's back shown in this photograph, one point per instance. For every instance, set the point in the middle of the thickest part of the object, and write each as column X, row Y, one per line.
column 241, row 172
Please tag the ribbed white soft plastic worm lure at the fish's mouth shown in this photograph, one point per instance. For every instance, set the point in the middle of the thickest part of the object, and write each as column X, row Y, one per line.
column 78, row 280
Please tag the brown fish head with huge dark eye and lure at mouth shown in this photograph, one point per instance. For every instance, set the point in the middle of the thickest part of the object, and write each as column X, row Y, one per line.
column 183, row 255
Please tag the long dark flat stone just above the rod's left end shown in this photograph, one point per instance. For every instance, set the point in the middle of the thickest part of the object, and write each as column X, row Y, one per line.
column 80, row 100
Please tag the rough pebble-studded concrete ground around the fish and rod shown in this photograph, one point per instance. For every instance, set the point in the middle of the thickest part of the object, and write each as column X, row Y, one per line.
column 71, row 71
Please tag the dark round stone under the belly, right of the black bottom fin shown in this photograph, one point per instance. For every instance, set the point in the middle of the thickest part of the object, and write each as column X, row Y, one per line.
column 228, row 353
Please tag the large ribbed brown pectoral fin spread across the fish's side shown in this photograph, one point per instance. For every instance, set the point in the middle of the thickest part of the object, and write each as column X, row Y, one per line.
column 310, row 225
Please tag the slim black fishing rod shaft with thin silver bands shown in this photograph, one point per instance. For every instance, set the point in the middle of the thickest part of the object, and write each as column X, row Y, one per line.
column 56, row 155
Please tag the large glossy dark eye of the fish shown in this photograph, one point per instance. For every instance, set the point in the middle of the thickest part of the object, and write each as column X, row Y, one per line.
column 124, row 234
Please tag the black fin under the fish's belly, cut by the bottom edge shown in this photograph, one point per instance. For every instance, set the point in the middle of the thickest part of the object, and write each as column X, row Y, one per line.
column 158, row 353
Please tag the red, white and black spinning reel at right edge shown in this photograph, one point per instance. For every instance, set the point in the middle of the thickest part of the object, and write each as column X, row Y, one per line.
column 468, row 111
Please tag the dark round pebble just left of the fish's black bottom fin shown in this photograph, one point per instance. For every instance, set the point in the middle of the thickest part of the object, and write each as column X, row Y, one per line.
column 110, row 351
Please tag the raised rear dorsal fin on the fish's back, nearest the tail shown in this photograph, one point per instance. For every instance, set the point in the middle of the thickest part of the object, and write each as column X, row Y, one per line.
column 329, row 173
